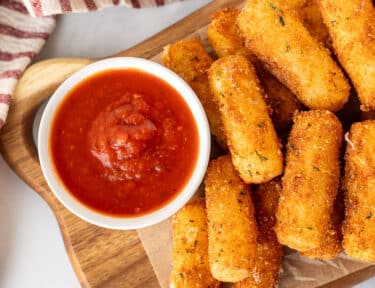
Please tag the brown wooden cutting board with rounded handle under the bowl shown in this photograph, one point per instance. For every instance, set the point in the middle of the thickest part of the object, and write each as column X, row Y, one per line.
column 101, row 258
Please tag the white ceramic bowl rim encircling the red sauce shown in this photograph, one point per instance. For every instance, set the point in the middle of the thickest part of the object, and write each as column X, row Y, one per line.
column 83, row 211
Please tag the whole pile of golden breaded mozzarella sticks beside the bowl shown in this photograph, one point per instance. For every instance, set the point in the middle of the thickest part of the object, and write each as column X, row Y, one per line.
column 283, row 69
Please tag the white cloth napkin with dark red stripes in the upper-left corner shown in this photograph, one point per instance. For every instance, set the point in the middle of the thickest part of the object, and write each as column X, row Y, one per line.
column 26, row 25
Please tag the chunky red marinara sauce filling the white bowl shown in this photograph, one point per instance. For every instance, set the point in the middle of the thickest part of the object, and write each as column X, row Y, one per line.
column 124, row 142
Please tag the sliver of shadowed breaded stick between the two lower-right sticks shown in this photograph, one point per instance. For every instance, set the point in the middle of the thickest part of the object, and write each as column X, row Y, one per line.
column 332, row 245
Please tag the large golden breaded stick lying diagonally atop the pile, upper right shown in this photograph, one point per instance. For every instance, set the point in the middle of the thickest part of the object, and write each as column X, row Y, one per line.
column 280, row 40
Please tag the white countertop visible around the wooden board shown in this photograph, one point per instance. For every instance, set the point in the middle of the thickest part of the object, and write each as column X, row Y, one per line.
column 32, row 253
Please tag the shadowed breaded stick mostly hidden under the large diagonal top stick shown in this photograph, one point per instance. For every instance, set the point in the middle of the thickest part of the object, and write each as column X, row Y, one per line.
column 223, row 36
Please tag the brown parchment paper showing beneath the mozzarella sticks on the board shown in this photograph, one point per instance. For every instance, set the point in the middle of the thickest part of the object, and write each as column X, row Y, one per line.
column 296, row 271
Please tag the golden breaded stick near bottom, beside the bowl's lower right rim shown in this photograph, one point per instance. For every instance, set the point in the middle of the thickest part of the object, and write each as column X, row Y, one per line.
column 232, row 231
